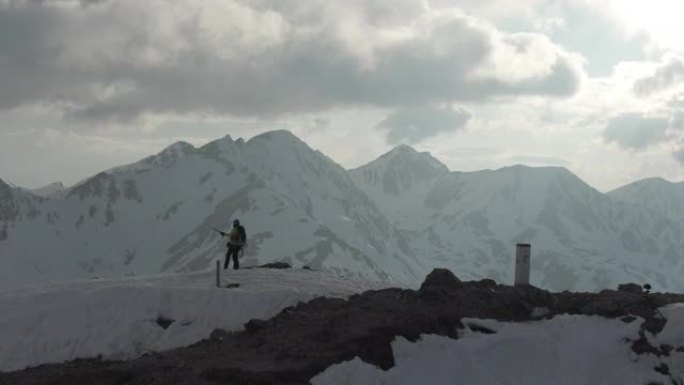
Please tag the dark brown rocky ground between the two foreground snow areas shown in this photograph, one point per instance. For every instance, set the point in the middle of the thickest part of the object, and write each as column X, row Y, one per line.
column 304, row 340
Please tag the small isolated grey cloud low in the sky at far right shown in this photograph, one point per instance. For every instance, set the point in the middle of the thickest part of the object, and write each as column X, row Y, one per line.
column 636, row 131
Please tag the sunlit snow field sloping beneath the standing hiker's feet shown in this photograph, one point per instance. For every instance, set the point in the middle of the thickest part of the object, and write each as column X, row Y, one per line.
column 117, row 318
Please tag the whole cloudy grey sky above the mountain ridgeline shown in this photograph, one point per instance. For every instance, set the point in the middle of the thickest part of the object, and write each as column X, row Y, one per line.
column 596, row 86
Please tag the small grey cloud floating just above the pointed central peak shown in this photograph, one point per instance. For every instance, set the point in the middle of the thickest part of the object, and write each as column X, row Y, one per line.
column 416, row 124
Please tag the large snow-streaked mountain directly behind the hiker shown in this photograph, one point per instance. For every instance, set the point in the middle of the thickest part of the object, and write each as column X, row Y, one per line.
column 156, row 215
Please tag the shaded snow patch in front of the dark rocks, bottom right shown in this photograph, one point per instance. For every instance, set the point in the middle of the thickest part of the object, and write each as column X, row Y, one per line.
column 565, row 350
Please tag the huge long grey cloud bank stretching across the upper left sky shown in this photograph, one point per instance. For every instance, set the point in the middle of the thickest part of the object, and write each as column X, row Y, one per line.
column 119, row 60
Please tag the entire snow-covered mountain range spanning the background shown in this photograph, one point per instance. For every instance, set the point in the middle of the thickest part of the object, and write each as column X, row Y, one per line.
column 395, row 219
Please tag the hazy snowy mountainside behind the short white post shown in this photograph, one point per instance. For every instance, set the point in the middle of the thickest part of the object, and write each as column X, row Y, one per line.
column 581, row 239
